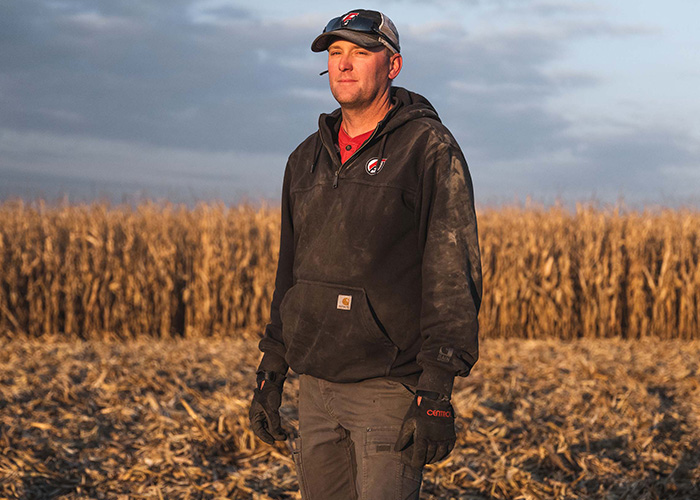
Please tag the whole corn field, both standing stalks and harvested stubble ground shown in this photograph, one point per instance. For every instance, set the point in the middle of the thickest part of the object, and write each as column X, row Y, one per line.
column 553, row 410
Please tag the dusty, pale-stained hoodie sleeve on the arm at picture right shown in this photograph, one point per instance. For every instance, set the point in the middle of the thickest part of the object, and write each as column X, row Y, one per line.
column 451, row 269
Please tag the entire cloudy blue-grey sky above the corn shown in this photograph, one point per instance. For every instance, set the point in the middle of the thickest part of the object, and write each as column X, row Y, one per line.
column 190, row 101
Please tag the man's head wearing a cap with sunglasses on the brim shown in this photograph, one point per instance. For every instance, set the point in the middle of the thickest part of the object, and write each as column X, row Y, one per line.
column 363, row 57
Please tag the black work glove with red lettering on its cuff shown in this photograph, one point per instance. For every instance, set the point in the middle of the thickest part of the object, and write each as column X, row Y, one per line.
column 430, row 425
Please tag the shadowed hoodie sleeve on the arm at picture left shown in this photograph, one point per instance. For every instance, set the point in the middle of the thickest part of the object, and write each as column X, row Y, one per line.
column 272, row 344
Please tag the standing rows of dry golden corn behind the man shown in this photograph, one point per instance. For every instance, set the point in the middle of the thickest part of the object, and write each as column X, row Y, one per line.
column 97, row 271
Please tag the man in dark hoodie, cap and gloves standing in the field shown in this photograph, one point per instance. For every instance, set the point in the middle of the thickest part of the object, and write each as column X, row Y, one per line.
column 378, row 283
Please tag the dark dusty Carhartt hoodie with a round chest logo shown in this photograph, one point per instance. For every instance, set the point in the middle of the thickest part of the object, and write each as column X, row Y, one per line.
column 379, row 271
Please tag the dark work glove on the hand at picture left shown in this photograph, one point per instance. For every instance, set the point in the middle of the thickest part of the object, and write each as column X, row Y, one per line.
column 264, row 409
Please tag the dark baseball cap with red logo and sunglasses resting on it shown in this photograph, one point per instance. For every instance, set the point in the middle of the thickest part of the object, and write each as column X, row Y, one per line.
column 366, row 28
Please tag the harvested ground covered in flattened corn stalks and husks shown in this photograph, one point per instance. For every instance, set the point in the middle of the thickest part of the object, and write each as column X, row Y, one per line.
column 167, row 419
